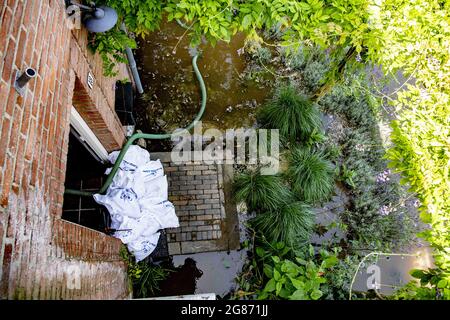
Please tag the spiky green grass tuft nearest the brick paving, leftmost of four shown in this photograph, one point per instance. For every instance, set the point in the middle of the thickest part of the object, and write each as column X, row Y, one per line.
column 261, row 192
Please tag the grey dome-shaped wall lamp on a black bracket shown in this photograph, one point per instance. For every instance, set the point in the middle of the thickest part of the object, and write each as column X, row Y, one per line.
column 96, row 19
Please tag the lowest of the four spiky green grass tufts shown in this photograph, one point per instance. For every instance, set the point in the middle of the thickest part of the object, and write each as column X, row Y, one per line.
column 292, row 224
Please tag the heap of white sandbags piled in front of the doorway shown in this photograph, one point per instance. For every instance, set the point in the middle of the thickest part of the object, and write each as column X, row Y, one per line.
column 137, row 201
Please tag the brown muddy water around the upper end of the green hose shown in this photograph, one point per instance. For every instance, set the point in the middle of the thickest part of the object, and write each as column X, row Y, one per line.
column 172, row 97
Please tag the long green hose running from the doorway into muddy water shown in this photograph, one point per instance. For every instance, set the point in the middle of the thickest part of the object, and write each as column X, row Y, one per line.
column 151, row 136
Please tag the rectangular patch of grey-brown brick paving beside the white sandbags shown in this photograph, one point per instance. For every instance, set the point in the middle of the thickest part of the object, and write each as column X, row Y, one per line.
column 201, row 195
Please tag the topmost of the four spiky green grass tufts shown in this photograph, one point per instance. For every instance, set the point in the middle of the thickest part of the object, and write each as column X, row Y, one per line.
column 292, row 113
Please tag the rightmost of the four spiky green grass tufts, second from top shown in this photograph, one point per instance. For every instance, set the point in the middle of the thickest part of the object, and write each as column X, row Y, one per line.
column 310, row 174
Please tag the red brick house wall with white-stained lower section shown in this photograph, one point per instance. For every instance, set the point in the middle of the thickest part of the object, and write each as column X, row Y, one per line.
column 39, row 252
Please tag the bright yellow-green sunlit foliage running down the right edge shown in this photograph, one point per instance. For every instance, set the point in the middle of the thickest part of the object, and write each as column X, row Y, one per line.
column 421, row 134
